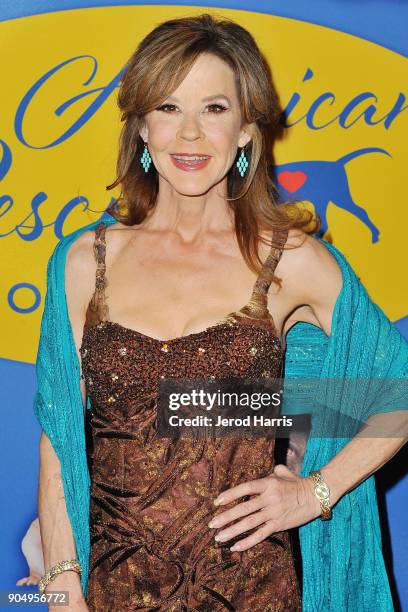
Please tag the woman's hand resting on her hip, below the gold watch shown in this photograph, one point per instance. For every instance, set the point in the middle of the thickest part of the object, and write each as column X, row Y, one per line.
column 279, row 501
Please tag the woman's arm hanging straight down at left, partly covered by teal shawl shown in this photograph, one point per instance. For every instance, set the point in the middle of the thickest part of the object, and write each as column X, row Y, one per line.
column 56, row 533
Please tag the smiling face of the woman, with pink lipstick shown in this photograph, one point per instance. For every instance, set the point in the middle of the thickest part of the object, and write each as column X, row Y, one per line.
column 201, row 118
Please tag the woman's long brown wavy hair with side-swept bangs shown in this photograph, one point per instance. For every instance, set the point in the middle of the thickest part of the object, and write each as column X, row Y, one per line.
column 152, row 73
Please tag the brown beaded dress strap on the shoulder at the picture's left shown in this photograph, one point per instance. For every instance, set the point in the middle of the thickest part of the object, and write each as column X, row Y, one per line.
column 98, row 310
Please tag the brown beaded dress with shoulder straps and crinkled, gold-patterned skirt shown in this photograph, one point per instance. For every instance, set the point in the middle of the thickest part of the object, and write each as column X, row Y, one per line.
column 152, row 497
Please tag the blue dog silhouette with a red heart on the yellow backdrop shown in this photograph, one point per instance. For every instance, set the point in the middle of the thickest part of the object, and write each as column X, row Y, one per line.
column 321, row 182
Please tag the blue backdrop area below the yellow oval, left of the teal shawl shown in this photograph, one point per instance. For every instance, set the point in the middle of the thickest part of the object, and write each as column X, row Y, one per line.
column 19, row 436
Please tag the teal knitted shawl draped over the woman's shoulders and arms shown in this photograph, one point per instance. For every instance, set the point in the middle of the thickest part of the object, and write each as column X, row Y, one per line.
column 343, row 565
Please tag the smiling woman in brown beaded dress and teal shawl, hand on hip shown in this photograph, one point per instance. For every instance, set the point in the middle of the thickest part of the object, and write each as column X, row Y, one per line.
column 200, row 225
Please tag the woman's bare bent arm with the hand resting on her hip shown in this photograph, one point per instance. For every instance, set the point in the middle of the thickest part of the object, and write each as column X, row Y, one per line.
column 284, row 500
